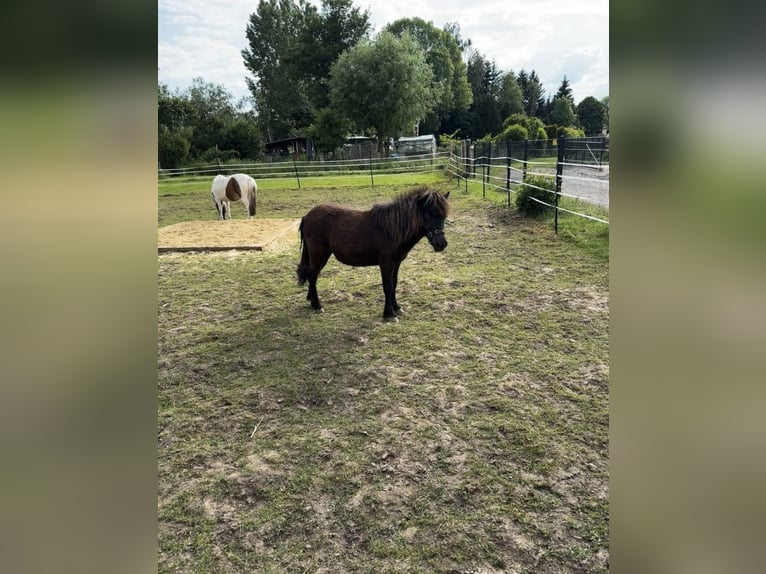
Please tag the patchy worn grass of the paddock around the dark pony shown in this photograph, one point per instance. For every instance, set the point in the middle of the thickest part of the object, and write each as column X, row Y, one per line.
column 470, row 436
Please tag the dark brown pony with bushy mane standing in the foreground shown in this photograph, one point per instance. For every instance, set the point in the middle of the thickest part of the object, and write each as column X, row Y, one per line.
column 382, row 236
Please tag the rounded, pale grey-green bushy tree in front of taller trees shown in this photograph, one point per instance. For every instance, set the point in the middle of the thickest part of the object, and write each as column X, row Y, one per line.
column 383, row 84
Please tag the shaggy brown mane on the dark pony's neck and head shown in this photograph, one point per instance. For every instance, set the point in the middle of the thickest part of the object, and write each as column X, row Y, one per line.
column 402, row 217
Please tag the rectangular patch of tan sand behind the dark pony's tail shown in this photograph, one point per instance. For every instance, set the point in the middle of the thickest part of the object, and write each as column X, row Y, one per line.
column 238, row 234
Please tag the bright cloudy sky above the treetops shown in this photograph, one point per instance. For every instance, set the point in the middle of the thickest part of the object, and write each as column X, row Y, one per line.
column 556, row 38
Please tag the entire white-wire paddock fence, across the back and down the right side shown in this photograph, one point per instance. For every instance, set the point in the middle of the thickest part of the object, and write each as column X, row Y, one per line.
column 579, row 167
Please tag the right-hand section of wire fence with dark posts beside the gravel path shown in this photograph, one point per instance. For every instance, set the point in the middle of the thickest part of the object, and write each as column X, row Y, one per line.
column 579, row 168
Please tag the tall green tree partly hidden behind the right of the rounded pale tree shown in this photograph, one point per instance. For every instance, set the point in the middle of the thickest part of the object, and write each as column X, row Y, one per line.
column 443, row 54
